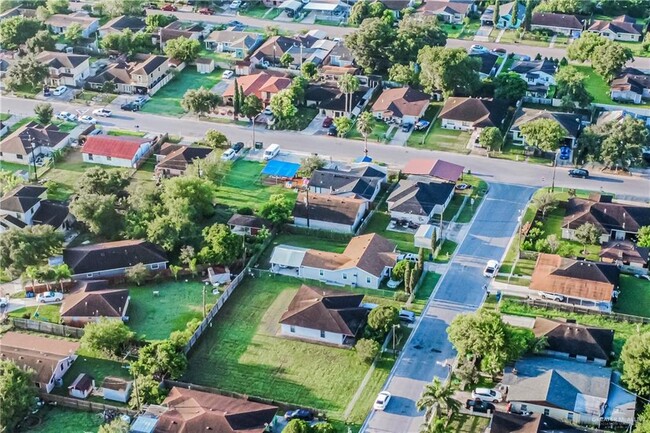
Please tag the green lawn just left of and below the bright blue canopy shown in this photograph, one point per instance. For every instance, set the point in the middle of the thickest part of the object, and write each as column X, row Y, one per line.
column 242, row 187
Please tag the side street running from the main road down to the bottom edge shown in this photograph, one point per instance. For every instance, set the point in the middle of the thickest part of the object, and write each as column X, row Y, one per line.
column 428, row 351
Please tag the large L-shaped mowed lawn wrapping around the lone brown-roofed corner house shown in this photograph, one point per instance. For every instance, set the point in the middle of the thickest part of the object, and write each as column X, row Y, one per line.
column 241, row 352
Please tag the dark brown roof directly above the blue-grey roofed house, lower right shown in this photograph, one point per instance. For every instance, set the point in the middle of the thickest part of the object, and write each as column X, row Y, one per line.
column 568, row 337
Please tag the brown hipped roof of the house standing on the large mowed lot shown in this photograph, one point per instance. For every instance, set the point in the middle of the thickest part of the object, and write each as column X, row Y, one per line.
column 326, row 310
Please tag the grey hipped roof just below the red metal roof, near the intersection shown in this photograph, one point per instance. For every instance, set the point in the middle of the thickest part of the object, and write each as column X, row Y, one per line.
column 418, row 197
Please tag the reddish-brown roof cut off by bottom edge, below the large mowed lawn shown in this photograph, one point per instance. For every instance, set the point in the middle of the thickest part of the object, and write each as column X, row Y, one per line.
column 193, row 411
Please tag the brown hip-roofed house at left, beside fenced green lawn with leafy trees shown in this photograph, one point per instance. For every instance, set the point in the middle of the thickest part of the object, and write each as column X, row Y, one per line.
column 93, row 299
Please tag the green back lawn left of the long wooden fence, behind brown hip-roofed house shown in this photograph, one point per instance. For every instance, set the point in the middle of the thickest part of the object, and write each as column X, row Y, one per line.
column 155, row 317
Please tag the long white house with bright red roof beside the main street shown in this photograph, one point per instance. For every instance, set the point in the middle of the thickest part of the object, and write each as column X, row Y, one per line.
column 117, row 151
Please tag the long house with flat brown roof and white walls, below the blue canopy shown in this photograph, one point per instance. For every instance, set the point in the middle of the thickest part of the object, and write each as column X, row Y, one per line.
column 329, row 212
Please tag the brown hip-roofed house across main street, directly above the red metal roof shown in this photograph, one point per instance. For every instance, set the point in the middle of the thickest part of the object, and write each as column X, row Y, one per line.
column 472, row 113
